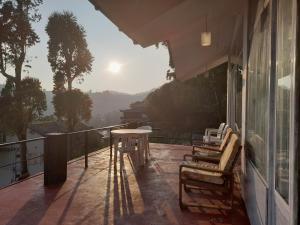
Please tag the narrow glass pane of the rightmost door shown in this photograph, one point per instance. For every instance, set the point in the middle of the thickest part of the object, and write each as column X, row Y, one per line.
column 284, row 74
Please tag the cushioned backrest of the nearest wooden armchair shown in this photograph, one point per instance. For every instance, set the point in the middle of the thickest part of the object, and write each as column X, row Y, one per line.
column 230, row 154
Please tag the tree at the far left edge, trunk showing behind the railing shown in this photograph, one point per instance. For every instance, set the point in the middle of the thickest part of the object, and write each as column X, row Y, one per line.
column 16, row 36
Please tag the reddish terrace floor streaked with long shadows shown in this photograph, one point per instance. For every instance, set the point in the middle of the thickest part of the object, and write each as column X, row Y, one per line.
column 99, row 195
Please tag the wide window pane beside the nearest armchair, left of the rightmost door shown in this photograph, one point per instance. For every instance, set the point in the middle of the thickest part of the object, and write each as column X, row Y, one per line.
column 257, row 93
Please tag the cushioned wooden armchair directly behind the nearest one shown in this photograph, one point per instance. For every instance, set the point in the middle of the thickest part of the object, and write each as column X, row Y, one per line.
column 211, row 152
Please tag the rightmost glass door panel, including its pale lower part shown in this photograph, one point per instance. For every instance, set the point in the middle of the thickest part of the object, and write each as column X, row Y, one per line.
column 285, row 63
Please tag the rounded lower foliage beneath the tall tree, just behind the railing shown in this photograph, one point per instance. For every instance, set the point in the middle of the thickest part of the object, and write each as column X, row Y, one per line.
column 72, row 105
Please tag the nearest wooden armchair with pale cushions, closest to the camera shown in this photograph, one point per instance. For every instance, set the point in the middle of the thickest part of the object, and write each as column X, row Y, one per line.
column 205, row 175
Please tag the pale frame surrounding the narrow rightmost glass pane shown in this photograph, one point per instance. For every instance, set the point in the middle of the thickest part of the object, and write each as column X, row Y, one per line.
column 278, row 208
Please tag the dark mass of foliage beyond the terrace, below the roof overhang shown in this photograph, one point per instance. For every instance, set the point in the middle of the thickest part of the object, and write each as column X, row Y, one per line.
column 191, row 105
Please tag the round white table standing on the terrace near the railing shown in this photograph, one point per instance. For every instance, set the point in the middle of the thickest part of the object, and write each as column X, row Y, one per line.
column 140, row 137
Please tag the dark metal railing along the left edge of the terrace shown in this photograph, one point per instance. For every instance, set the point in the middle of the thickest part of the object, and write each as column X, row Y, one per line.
column 84, row 142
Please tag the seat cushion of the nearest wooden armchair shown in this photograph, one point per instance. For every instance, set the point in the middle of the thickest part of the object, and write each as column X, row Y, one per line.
column 201, row 175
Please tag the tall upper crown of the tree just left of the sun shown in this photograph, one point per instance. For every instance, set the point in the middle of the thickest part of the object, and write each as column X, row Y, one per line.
column 68, row 54
